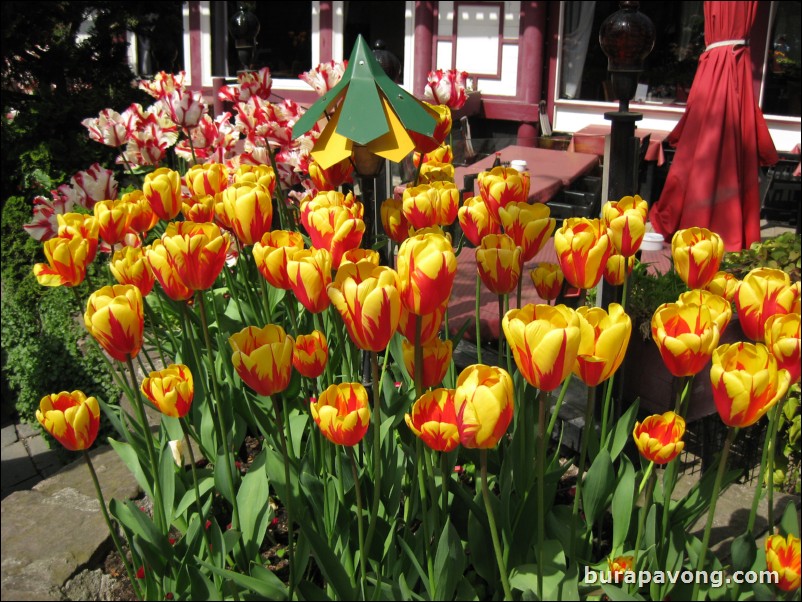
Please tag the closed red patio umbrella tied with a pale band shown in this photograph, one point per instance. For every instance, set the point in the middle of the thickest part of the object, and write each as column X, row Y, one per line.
column 721, row 139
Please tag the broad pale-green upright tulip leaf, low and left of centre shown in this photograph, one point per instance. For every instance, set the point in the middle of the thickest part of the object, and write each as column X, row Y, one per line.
column 254, row 511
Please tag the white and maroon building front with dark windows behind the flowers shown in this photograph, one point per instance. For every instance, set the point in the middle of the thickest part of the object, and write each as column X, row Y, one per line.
column 516, row 53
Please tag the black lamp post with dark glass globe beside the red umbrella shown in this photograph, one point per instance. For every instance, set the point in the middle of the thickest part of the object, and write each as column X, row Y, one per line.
column 626, row 37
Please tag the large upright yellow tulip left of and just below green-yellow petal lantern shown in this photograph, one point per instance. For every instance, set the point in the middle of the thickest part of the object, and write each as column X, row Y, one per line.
column 249, row 210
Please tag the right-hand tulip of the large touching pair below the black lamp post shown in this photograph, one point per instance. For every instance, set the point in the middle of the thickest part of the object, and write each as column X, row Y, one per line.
column 605, row 337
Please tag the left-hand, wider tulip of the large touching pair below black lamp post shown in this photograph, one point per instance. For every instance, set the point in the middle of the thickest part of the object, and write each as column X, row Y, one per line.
column 545, row 342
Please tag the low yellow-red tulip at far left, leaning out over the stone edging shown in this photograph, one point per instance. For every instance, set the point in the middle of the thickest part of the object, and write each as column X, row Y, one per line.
column 72, row 418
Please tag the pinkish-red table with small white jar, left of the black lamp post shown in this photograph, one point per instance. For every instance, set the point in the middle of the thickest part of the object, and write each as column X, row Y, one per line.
column 549, row 171
